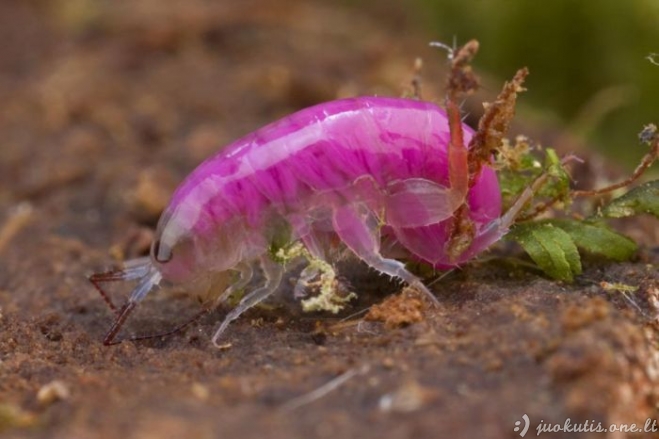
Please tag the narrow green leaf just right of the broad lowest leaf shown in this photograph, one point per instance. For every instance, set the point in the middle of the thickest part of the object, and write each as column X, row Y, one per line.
column 597, row 239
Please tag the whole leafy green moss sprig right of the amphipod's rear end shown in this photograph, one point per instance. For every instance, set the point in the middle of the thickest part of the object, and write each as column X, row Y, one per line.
column 555, row 244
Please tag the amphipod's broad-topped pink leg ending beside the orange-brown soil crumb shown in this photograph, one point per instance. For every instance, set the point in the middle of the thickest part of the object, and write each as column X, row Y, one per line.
column 358, row 229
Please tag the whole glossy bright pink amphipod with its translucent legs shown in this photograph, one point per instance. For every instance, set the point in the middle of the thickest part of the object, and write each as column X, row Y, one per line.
column 378, row 173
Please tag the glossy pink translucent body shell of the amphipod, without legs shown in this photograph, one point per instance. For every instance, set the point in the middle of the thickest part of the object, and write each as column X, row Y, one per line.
column 320, row 159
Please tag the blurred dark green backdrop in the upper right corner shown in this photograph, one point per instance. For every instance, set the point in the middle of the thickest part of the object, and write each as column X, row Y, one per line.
column 588, row 60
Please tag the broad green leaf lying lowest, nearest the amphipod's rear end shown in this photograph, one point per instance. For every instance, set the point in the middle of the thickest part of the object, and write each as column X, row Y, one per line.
column 550, row 247
